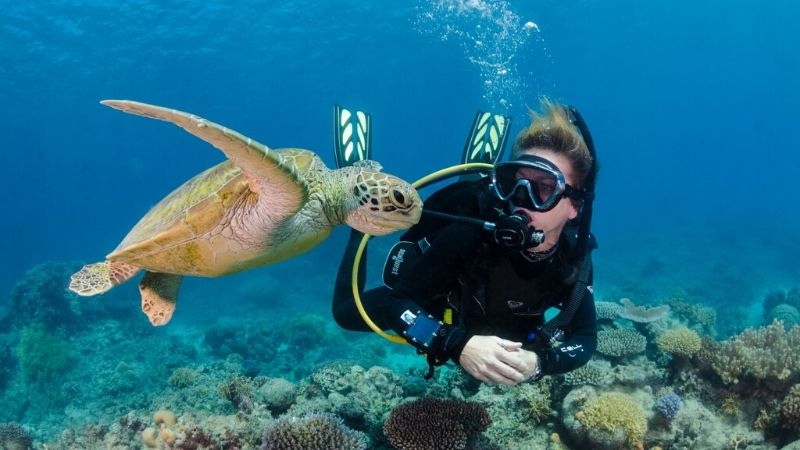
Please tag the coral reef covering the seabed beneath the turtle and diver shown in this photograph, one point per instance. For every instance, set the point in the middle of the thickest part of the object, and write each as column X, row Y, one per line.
column 78, row 374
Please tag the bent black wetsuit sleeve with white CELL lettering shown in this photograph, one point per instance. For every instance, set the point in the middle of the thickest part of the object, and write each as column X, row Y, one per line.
column 580, row 343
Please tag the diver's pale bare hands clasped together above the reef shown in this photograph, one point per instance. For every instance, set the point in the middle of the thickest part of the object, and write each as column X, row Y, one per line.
column 495, row 360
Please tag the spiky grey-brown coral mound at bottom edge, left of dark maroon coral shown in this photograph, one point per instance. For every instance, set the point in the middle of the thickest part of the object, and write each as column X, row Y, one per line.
column 314, row 431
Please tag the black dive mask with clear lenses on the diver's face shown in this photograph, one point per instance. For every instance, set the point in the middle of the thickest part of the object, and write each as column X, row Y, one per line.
column 531, row 182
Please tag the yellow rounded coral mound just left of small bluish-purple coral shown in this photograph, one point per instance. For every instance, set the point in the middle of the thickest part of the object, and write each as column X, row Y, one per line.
column 613, row 411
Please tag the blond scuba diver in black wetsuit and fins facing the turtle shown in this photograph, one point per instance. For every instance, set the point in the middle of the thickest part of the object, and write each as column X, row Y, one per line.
column 477, row 295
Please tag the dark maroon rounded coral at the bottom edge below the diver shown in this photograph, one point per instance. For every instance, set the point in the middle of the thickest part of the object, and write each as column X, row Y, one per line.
column 434, row 424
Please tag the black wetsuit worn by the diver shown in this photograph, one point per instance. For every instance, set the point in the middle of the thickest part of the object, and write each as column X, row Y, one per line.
column 491, row 292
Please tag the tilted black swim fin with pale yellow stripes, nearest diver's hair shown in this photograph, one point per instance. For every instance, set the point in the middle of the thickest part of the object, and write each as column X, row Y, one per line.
column 487, row 138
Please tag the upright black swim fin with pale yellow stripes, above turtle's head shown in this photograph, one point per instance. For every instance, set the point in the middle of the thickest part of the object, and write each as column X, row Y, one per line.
column 351, row 141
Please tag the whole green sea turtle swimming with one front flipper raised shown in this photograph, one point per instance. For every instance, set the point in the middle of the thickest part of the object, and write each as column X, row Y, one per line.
column 259, row 207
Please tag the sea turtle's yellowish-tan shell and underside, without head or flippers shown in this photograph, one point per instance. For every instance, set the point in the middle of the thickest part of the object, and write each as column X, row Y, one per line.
column 206, row 226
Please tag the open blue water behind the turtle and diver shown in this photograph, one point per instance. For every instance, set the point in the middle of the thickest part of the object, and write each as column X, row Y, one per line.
column 693, row 107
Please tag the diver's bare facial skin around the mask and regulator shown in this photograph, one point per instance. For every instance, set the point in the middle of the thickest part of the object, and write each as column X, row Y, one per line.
column 551, row 222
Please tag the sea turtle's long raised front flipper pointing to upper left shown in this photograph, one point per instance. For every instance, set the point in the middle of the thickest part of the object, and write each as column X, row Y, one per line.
column 266, row 169
